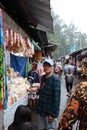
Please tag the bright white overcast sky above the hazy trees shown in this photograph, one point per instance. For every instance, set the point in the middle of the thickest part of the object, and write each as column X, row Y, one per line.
column 72, row 11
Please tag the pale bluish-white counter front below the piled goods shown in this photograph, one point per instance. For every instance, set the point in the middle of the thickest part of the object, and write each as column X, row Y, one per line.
column 8, row 115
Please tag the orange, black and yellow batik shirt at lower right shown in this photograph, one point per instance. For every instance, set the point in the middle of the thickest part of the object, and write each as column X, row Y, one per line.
column 76, row 109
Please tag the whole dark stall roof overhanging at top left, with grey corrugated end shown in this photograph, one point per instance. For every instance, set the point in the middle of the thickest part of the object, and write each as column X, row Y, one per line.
column 29, row 14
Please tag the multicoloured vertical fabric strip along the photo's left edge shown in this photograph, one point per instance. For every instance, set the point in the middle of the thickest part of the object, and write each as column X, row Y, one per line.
column 1, row 62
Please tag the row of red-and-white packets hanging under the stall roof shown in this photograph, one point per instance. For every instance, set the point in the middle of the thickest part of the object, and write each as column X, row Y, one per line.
column 16, row 43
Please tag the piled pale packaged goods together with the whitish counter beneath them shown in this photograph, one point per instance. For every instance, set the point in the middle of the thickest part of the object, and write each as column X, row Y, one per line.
column 17, row 95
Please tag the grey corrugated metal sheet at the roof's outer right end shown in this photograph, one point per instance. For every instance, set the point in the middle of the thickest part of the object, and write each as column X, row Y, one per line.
column 40, row 10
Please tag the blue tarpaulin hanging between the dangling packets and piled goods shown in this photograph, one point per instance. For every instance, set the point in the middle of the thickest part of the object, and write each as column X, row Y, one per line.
column 19, row 64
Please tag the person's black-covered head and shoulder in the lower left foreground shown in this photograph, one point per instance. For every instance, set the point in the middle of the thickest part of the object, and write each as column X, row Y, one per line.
column 22, row 114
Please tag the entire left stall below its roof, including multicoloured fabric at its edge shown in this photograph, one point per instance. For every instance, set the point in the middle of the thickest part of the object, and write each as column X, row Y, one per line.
column 15, row 49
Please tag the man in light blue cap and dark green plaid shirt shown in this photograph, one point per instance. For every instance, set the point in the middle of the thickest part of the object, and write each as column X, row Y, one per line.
column 49, row 98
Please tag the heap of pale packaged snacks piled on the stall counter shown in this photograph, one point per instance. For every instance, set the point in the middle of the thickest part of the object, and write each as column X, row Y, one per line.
column 17, row 86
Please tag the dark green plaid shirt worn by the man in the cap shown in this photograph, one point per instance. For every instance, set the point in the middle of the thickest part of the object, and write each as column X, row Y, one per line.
column 49, row 96
